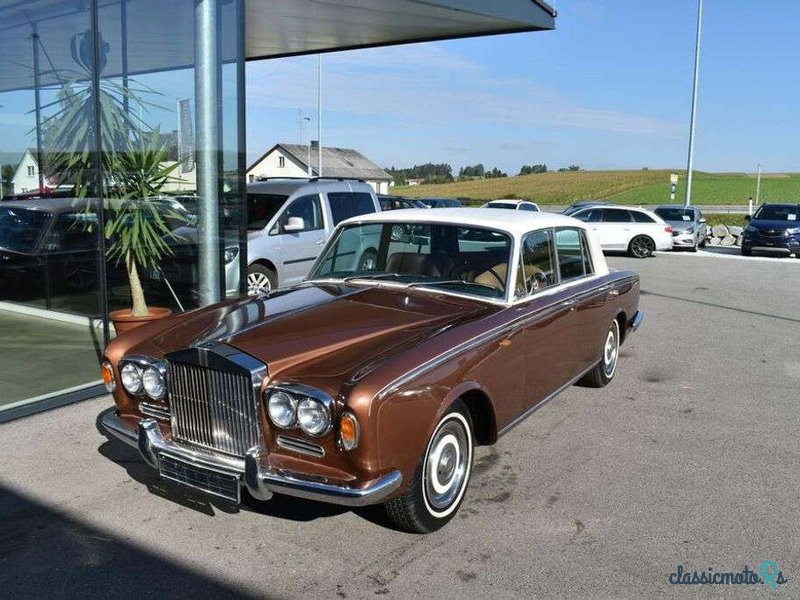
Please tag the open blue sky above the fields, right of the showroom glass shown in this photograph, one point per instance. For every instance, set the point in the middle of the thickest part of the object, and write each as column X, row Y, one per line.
column 609, row 88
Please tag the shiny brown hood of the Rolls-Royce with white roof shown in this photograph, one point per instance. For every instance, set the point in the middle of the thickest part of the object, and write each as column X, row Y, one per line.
column 322, row 331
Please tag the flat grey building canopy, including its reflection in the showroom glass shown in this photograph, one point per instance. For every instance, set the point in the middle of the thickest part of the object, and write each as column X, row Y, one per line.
column 273, row 28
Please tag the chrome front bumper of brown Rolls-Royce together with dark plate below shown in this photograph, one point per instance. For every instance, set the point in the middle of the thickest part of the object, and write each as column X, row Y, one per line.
column 212, row 472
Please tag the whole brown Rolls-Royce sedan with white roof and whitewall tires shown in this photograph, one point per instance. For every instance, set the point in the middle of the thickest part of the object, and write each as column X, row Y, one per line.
column 416, row 336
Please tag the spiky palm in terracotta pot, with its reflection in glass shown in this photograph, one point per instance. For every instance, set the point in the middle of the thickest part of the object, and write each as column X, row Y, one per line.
column 134, row 166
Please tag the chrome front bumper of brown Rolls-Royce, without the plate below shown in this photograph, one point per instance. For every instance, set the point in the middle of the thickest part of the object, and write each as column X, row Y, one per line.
column 253, row 472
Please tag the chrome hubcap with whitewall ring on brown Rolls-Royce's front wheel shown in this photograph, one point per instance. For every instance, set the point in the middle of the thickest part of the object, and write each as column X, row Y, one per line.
column 446, row 465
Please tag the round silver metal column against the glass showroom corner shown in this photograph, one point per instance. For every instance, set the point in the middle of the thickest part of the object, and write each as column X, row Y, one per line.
column 207, row 102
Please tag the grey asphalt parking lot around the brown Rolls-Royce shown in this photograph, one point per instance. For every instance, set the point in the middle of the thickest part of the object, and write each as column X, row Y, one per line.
column 689, row 457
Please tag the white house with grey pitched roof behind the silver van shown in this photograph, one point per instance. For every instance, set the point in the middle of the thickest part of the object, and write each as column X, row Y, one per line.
column 292, row 160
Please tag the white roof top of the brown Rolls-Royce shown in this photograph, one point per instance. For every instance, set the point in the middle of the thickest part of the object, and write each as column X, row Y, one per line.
column 515, row 223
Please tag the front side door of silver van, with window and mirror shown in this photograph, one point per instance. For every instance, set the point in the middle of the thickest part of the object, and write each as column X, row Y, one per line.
column 300, row 248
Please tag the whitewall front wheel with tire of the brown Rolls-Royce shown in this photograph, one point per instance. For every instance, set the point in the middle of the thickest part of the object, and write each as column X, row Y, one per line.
column 435, row 493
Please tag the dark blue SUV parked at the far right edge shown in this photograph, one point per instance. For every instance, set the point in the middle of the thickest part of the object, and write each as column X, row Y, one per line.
column 775, row 229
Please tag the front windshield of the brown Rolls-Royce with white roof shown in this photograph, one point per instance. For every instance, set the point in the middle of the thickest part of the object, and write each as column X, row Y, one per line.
column 468, row 260
